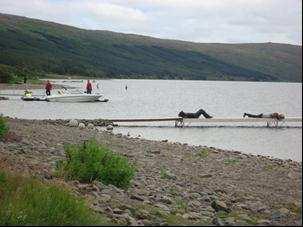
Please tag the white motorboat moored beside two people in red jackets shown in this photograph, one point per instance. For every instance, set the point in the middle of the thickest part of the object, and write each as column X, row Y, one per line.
column 73, row 96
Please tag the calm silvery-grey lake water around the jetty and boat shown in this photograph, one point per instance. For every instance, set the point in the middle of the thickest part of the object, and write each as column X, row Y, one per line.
column 165, row 98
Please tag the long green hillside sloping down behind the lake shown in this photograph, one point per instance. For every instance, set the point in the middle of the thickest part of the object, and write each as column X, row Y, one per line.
column 48, row 47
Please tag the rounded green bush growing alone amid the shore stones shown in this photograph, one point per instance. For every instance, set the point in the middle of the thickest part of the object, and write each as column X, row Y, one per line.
column 90, row 161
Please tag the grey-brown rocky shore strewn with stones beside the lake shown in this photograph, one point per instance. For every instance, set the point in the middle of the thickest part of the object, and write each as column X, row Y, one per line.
column 175, row 183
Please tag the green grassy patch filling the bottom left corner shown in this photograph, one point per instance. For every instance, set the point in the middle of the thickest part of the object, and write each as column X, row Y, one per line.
column 27, row 201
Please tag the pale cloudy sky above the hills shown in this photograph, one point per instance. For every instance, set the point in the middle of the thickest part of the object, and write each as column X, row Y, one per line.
column 205, row 21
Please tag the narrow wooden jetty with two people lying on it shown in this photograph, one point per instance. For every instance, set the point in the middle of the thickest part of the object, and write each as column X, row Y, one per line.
column 180, row 122
